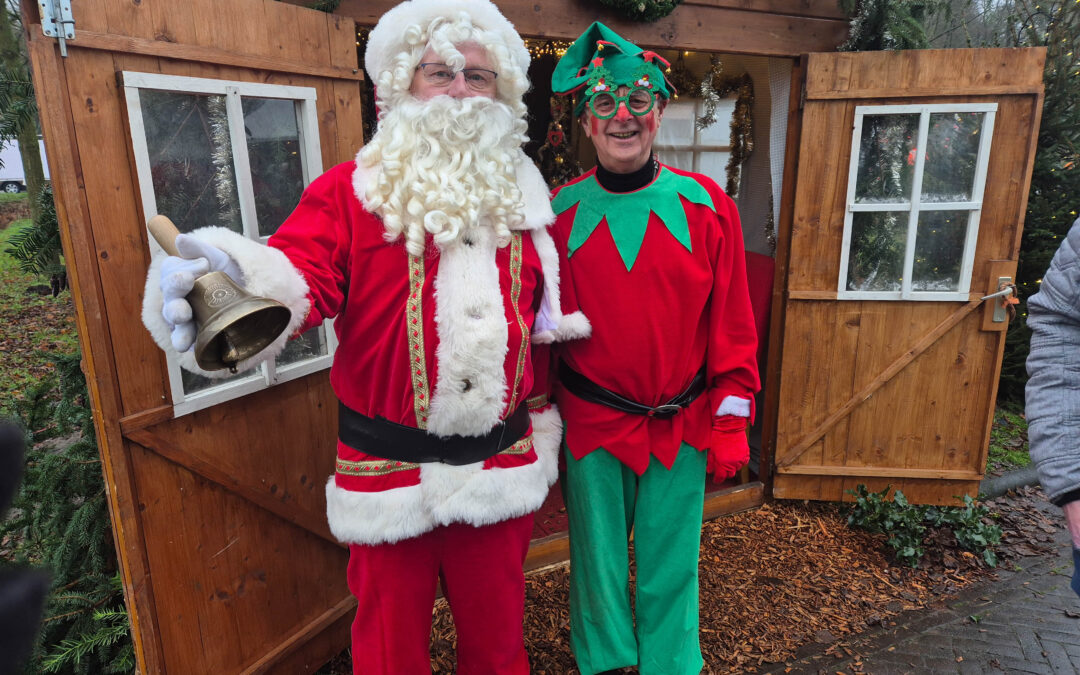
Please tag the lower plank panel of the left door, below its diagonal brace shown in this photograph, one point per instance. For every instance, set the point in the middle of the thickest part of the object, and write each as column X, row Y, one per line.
column 226, row 563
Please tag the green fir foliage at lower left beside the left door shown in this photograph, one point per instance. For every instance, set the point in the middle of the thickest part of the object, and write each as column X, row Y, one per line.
column 61, row 522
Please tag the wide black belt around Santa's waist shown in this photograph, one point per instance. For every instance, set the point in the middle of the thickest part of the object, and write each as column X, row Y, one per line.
column 388, row 440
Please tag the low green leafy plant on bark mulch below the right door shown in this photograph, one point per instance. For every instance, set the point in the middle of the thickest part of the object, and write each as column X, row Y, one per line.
column 906, row 524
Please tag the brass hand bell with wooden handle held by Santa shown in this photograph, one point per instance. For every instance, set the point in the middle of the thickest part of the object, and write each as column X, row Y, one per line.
column 234, row 325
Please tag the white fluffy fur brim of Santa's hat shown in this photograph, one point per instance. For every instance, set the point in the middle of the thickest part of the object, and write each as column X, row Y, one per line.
column 388, row 38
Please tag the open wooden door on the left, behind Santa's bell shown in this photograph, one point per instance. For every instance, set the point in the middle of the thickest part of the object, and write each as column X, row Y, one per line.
column 219, row 515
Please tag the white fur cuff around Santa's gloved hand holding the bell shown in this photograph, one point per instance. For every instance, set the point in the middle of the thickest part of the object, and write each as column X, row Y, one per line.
column 267, row 274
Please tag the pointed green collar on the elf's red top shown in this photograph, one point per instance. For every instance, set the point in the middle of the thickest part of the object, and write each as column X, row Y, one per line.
column 628, row 213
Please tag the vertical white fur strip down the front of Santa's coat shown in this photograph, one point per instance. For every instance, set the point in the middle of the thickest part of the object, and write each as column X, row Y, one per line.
column 470, row 389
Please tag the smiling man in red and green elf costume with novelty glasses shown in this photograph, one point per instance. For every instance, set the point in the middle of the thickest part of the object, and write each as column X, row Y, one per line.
column 665, row 387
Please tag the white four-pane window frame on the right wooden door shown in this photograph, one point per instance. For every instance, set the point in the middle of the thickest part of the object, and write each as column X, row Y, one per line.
column 974, row 207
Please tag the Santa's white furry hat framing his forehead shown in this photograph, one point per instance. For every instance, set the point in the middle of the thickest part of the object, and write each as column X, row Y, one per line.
column 406, row 30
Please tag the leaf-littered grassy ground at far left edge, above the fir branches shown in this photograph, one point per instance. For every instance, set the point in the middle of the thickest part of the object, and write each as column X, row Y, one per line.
column 32, row 327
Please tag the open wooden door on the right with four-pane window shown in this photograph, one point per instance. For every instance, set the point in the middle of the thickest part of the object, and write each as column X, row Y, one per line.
column 913, row 172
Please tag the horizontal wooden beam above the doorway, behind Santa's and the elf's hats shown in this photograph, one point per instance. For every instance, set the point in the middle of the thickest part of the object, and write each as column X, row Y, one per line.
column 692, row 28
